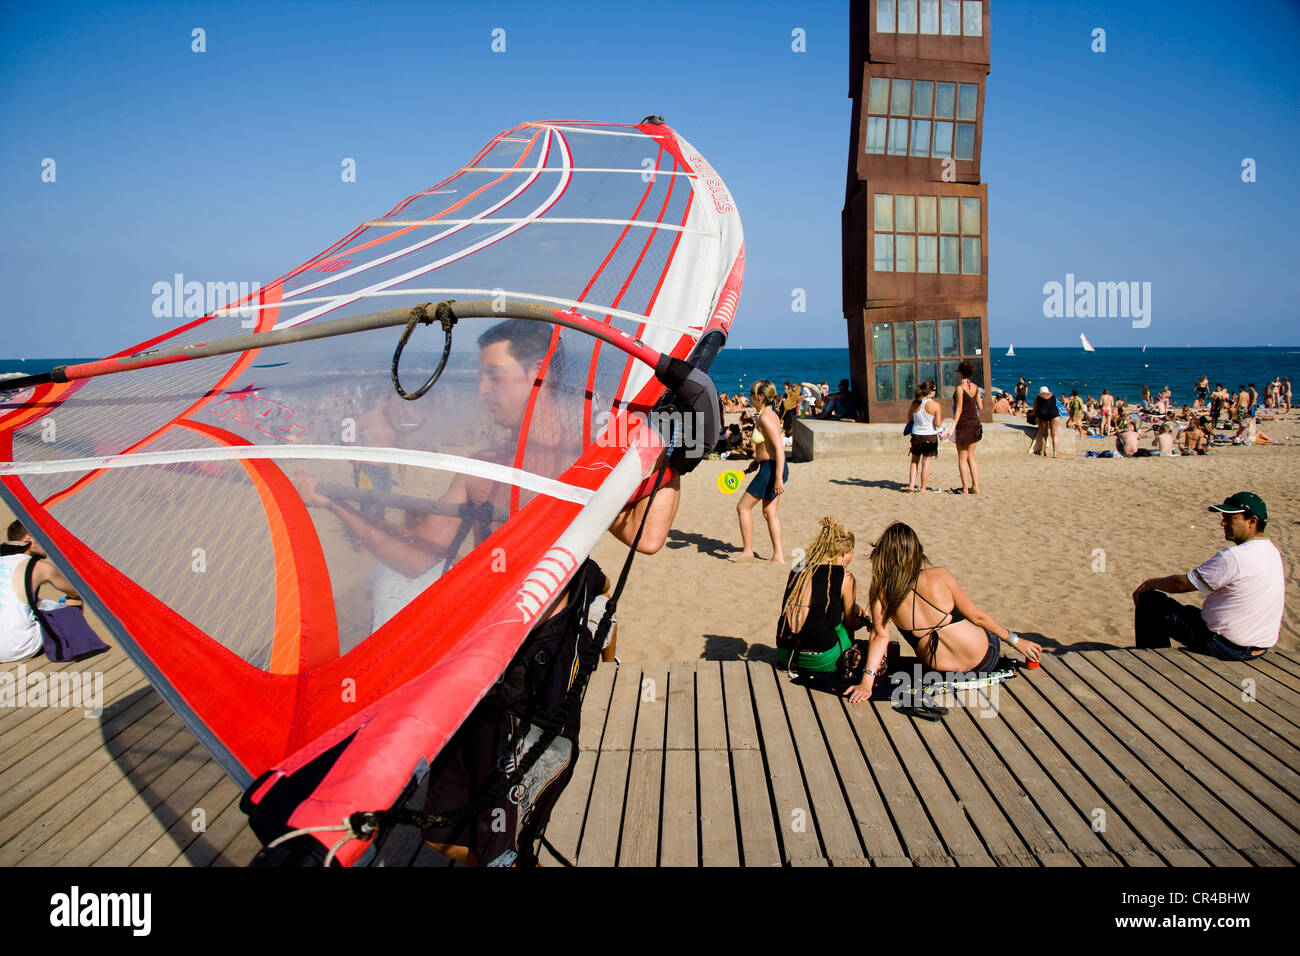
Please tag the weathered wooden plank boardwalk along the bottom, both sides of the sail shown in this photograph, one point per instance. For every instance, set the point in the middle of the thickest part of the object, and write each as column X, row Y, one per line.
column 1100, row 759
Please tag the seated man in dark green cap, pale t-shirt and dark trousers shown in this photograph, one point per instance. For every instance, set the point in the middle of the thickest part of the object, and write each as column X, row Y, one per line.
column 1243, row 587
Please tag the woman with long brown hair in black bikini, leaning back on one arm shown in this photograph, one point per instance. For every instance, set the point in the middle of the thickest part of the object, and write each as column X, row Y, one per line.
column 944, row 628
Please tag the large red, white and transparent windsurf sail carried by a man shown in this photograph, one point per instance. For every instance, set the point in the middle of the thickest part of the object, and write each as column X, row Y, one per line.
column 305, row 564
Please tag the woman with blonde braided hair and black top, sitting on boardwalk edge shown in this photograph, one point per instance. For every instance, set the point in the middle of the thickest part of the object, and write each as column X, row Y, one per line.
column 821, row 605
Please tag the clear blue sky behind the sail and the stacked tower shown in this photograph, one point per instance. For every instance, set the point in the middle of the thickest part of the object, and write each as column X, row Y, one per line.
column 224, row 166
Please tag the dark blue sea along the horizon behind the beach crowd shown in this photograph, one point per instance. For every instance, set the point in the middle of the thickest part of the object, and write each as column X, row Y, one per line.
column 1124, row 371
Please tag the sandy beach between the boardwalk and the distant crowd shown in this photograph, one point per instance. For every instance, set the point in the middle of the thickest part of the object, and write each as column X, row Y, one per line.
column 1052, row 550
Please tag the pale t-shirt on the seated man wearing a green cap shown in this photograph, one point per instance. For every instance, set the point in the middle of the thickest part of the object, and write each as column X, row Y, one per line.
column 1245, row 587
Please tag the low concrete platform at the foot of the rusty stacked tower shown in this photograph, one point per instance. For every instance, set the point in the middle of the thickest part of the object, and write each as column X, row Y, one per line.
column 1007, row 435
